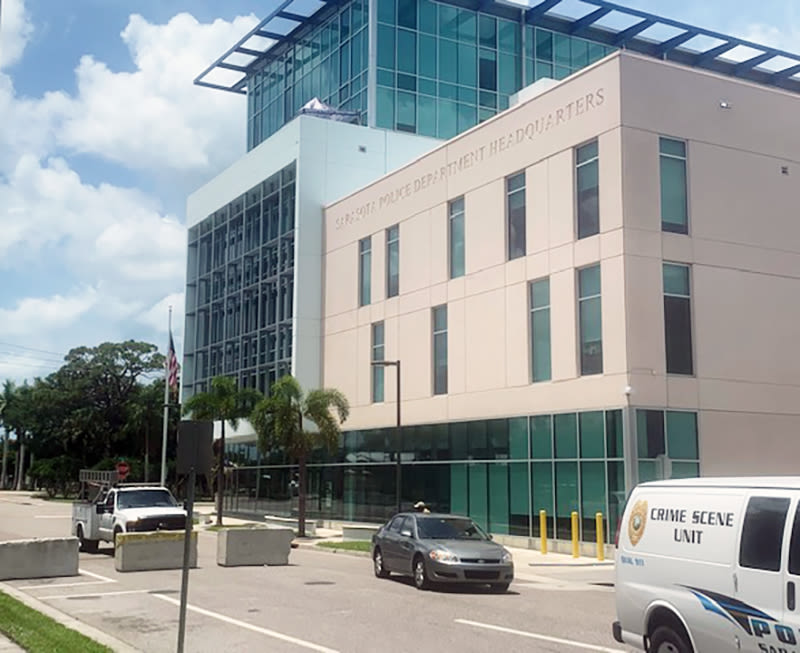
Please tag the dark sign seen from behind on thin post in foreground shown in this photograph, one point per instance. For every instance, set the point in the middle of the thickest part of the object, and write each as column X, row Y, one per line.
column 194, row 455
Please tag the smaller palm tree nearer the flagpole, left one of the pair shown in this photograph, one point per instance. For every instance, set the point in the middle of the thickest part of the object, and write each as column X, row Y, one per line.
column 226, row 403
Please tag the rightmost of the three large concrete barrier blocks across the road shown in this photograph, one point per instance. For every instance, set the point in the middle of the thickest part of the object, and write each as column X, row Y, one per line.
column 254, row 546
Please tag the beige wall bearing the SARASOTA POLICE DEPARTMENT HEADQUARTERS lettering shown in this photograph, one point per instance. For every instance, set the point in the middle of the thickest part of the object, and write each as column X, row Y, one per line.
column 489, row 360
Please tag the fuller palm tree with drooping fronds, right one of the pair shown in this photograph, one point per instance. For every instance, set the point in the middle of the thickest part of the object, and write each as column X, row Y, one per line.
column 278, row 422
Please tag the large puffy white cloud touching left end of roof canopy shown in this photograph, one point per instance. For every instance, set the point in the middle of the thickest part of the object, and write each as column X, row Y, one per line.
column 155, row 118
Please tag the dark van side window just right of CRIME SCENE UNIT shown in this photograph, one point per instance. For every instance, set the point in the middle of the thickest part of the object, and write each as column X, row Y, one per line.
column 762, row 533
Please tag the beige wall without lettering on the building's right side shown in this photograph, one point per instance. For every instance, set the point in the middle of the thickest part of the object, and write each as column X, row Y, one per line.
column 744, row 249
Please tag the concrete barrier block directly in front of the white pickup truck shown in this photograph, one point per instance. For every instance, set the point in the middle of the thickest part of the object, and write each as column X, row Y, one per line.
column 149, row 551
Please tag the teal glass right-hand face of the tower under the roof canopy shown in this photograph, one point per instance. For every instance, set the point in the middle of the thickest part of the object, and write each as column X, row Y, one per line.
column 443, row 69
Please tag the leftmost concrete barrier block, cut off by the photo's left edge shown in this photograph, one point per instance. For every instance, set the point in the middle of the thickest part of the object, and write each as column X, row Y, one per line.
column 39, row 558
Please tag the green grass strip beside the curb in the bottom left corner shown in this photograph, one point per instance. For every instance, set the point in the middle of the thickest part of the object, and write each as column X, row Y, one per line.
column 38, row 633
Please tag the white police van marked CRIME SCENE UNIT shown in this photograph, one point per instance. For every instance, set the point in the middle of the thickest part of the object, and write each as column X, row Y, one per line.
column 710, row 565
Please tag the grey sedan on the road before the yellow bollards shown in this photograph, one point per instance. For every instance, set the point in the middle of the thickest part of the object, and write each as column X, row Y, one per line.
column 439, row 548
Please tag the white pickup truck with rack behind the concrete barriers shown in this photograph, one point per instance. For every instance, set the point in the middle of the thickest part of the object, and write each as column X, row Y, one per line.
column 124, row 510
